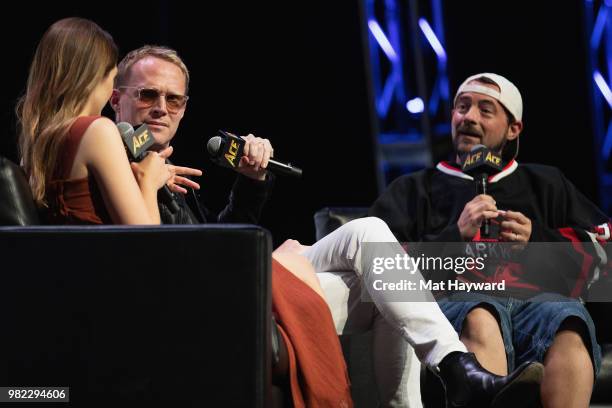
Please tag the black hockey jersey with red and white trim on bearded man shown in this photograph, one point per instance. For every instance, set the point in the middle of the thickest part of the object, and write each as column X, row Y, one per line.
column 425, row 206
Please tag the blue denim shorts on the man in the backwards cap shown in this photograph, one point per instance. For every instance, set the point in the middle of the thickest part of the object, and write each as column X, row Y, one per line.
column 528, row 326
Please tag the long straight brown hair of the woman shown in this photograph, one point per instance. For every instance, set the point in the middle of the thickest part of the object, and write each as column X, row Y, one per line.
column 72, row 58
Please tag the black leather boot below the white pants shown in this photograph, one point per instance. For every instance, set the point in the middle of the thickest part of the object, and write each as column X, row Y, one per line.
column 468, row 384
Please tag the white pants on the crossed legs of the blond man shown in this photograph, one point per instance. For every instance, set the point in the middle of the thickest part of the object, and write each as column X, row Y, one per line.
column 400, row 329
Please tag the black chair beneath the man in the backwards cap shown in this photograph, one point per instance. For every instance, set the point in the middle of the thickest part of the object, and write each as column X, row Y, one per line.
column 357, row 349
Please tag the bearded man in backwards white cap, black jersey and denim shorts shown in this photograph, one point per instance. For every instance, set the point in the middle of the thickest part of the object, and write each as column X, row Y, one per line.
column 531, row 203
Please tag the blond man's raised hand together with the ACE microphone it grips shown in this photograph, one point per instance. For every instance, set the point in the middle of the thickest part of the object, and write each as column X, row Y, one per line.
column 250, row 156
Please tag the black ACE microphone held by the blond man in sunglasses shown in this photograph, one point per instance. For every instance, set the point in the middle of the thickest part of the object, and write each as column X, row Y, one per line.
column 227, row 150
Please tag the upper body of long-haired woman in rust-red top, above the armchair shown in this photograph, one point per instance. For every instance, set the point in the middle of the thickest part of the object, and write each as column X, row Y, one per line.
column 74, row 158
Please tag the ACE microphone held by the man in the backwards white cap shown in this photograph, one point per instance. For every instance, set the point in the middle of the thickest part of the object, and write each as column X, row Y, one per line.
column 481, row 163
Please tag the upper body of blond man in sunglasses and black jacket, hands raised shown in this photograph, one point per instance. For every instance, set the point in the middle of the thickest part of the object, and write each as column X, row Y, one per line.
column 151, row 87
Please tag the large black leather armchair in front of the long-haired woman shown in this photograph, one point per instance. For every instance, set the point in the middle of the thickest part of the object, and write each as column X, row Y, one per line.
column 134, row 315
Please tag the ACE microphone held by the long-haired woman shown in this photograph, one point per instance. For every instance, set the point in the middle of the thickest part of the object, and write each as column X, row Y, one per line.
column 137, row 143
